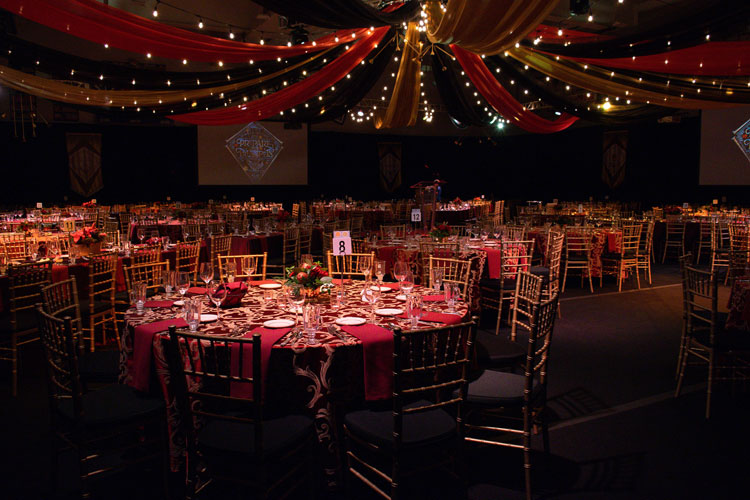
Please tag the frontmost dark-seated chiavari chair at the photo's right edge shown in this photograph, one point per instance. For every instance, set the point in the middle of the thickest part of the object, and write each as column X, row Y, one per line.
column 724, row 351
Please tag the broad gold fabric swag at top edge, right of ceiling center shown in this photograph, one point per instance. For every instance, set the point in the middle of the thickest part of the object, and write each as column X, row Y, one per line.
column 484, row 26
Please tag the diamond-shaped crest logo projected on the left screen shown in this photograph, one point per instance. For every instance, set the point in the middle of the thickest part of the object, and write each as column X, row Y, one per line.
column 255, row 149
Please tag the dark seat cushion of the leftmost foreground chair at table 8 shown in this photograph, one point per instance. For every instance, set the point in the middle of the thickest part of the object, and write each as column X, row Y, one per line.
column 114, row 403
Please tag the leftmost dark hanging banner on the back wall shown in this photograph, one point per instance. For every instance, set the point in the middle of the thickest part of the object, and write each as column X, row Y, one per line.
column 85, row 163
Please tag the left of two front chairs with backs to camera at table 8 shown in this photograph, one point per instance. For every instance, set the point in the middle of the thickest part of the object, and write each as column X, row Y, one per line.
column 220, row 380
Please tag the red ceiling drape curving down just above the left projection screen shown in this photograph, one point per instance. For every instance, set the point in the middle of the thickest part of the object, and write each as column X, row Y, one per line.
column 293, row 95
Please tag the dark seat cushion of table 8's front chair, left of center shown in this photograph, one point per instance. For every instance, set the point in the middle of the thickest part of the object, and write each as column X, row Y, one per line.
column 279, row 435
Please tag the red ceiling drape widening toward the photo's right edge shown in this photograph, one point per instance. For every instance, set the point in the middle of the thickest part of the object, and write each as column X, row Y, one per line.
column 713, row 58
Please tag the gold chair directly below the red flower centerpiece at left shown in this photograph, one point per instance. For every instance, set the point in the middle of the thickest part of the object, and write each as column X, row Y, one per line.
column 100, row 307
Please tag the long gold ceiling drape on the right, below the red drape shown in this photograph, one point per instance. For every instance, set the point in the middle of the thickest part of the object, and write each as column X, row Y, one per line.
column 596, row 80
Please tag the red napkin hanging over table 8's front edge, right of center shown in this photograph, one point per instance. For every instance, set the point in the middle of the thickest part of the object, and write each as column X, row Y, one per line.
column 377, row 351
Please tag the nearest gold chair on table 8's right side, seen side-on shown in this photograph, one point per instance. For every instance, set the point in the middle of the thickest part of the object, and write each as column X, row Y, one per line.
column 502, row 408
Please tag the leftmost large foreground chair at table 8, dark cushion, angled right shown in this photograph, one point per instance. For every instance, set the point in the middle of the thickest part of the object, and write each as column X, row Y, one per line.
column 111, row 421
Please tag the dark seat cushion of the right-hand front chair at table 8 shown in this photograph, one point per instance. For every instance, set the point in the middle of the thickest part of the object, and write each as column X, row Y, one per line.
column 419, row 429
